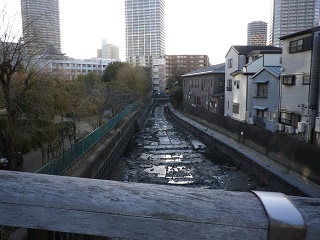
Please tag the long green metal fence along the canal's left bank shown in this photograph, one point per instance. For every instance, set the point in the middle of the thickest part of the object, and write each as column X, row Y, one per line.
column 60, row 164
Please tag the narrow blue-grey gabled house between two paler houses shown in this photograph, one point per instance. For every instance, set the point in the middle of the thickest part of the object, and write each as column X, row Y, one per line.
column 265, row 97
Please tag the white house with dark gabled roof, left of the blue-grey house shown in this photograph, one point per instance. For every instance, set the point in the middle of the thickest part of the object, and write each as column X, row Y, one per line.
column 242, row 62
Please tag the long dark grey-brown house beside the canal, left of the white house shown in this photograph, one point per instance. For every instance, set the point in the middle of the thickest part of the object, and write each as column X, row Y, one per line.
column 204, row 88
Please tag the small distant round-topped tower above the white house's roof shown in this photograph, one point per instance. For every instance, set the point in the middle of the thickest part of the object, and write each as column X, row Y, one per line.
column 257, row 33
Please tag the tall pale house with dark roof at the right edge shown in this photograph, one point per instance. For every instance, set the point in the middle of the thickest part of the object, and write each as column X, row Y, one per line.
column 299, row 109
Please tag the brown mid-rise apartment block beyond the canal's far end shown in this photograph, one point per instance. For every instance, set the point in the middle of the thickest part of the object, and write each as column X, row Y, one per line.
column 180, row 64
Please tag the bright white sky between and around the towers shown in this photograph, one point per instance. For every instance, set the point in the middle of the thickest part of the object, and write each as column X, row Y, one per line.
column 206, row 27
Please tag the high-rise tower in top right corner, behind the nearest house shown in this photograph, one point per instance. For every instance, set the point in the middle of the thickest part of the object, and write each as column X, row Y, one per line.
column 290, row 16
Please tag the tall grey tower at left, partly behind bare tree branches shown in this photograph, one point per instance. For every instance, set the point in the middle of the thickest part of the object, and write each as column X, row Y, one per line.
column 41, row 25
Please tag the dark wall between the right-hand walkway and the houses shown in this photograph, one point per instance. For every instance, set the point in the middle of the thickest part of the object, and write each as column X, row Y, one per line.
column 295, row 155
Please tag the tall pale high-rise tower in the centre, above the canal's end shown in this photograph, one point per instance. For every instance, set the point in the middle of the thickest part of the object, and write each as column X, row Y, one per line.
column 145, row 31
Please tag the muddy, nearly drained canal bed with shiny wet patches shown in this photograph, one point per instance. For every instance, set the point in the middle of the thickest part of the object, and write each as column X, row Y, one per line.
column 165, row 153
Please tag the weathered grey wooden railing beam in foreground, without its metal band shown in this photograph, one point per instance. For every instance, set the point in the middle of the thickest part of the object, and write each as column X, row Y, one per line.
column 138, row 211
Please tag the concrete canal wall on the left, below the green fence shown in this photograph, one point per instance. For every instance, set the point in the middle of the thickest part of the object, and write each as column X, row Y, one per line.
column 102, row 161
